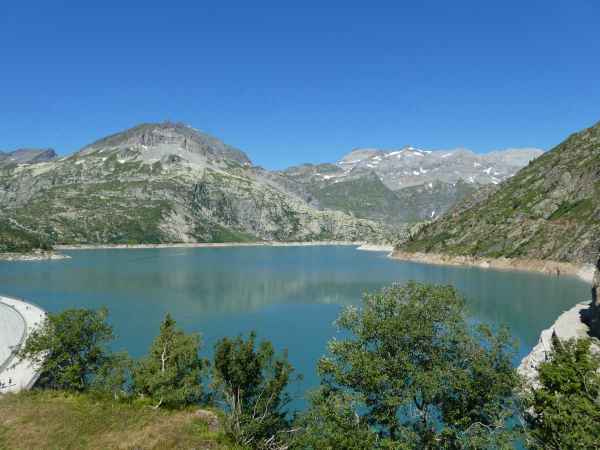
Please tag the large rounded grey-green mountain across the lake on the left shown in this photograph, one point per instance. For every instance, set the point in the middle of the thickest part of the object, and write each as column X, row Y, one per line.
column 166, row 182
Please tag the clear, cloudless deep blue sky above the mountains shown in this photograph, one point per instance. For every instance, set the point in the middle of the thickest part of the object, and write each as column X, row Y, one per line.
column 309, row 82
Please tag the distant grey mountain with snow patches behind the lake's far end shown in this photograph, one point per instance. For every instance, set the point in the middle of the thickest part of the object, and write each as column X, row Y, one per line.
column 405, row 185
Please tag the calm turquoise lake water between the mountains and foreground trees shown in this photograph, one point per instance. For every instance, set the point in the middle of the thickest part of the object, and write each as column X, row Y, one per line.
column 290, row 295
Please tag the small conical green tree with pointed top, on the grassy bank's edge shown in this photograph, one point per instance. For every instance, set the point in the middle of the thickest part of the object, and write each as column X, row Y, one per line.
column 171, row 374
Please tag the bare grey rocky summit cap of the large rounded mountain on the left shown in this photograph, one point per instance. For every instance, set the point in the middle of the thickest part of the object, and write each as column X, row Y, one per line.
column 167, row 139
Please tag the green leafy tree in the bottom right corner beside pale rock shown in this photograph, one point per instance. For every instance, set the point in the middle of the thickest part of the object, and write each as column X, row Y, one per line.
column 564, row 411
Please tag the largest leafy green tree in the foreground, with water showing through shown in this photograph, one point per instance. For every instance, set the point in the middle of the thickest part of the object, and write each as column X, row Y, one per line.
column 420, row 375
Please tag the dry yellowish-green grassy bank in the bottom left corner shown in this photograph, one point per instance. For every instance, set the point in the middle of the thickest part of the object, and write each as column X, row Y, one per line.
column 59, row 420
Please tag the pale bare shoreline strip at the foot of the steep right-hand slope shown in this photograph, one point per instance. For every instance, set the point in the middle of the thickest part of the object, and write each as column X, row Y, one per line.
column 584, row 272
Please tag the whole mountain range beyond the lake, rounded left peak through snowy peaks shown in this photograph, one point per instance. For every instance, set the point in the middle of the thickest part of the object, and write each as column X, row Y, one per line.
column 168, row 182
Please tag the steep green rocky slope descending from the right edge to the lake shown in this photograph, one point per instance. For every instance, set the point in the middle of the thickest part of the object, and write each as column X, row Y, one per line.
column 548, row 210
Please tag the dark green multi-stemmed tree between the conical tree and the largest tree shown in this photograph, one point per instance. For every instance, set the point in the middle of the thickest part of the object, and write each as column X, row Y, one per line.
column 252, row 382
